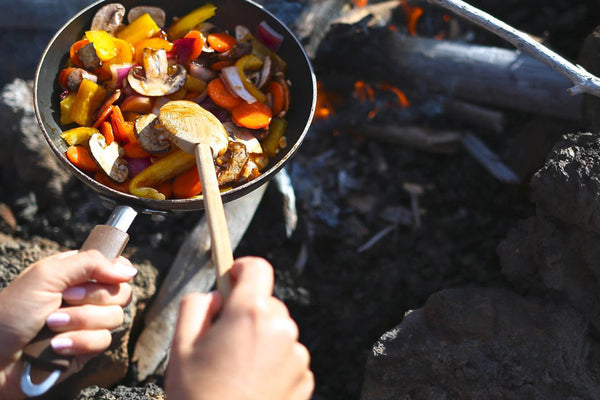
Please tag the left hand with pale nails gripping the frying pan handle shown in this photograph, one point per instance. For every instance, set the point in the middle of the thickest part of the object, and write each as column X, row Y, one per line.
column 94, row 288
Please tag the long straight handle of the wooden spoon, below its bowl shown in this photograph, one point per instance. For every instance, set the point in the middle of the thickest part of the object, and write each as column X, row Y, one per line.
column 222, row 254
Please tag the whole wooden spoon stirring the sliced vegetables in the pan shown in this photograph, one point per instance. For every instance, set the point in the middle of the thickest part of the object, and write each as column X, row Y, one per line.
column 199, row 132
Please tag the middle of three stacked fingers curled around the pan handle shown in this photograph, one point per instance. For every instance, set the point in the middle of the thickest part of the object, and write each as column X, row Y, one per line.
column 85, row 318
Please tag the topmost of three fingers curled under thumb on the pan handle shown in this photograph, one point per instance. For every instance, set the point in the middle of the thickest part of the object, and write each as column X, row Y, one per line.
column 98, row 294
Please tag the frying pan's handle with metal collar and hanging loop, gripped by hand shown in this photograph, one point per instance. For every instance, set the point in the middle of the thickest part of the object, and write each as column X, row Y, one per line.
column 41, row 362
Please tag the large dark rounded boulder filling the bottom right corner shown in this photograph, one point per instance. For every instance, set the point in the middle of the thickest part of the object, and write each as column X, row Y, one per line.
column 477, row 343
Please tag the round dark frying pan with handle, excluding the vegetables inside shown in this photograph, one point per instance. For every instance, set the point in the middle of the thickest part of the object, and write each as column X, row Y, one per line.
column 111, row 237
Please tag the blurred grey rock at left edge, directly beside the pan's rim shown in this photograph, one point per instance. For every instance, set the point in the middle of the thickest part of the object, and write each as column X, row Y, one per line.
column 25, row 155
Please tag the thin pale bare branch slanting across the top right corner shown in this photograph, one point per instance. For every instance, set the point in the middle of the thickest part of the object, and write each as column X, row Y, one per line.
column 584, row 81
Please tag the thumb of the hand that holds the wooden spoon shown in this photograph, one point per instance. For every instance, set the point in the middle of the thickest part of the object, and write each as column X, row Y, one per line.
column 196, row 313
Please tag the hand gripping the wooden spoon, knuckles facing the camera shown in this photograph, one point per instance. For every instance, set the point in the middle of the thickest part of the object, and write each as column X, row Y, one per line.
column 251, row 350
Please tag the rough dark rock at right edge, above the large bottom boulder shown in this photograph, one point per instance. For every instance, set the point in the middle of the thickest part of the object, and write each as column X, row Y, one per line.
column 567, row 186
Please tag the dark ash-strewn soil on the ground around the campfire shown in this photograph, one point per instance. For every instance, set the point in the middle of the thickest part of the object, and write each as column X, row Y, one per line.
column 343, row 290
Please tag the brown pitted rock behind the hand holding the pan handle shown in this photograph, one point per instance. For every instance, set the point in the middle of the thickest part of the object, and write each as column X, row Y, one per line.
column 110, row 367
